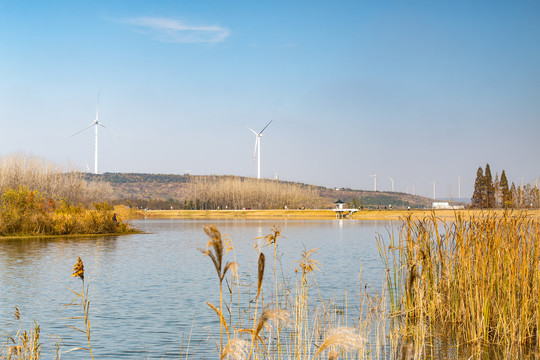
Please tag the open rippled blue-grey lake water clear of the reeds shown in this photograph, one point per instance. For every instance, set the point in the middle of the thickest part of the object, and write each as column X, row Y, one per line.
column 148, row 291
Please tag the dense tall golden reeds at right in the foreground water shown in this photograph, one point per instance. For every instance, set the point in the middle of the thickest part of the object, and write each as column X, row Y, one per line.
column 476, row 281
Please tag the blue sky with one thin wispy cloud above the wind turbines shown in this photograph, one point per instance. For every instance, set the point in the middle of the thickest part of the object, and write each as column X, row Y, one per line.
column 420, row 91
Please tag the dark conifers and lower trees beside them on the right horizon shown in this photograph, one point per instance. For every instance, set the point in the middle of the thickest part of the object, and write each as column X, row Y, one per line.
column 491, row 193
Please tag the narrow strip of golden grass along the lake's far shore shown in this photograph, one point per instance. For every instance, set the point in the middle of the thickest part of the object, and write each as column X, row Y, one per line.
column 316, row 214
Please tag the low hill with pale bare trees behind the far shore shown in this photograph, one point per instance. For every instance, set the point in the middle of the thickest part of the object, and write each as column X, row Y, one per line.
column 163, row 191
